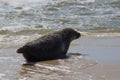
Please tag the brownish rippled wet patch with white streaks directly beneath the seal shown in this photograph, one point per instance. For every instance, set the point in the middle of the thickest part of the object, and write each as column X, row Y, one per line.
column 57, row 69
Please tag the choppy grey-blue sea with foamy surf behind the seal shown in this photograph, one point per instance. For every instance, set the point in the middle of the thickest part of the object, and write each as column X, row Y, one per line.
column 24, row 20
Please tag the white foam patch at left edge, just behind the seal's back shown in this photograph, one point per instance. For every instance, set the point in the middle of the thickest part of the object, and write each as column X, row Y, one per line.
column 13, row 41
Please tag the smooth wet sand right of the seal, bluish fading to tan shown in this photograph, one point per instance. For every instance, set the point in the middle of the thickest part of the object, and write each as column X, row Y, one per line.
column 106, row 52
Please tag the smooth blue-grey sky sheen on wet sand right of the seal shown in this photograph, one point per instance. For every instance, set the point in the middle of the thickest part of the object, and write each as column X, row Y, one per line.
column 99, row 49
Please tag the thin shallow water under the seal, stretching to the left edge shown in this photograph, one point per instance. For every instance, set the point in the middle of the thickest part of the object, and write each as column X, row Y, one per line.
column 63, row 69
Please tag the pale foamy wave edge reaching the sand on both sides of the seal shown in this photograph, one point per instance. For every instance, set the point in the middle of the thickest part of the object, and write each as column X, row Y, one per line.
column 16, row 39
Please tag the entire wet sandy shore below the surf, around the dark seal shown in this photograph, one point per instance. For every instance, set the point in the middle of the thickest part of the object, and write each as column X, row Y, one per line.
column 99, row 61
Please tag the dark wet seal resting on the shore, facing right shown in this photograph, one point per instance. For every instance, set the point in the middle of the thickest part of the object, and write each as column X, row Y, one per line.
column 51, row 46
